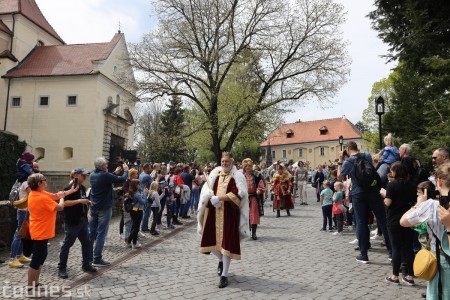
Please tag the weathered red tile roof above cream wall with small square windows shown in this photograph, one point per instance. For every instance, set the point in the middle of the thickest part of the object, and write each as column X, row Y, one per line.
column 64, row 60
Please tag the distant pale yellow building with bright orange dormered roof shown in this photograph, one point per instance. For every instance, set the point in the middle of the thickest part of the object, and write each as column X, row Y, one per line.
column 315, row 142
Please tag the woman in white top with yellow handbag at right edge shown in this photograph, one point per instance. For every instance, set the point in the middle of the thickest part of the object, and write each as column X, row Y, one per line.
column 437, row 217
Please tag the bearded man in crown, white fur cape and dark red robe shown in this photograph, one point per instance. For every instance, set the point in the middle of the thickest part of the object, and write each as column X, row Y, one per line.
column 223, row 215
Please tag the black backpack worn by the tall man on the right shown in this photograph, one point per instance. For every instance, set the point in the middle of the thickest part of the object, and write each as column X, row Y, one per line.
column 365, row 174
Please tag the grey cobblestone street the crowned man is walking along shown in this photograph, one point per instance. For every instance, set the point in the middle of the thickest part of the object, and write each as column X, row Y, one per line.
column 290, row 260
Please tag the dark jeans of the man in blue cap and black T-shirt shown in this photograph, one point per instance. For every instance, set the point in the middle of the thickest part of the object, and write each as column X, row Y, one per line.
column 71, row 234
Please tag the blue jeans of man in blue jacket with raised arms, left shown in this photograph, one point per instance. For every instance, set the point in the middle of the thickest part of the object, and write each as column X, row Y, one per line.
column 98, row 230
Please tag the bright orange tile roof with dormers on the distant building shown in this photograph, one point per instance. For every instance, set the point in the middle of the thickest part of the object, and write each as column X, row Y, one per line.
column 309, row 132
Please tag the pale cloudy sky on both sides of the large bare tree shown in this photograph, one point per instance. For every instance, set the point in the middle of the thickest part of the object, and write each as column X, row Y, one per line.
column 87, row 21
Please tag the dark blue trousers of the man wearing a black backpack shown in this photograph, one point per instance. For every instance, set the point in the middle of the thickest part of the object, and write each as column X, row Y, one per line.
column 362, row 203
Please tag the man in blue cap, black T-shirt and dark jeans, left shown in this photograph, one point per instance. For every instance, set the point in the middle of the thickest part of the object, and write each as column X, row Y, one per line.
column 76, row 207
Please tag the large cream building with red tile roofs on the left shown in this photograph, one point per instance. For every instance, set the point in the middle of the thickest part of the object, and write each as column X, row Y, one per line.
column 65, row 101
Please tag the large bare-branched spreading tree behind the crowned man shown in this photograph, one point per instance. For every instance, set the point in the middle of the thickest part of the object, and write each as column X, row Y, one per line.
column 299, row 46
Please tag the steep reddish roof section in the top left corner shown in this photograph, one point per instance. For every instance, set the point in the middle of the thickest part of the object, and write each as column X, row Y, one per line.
column 30, row 10
